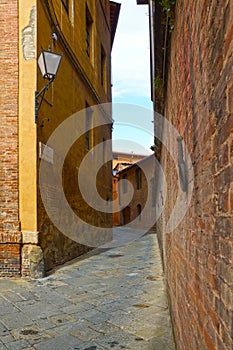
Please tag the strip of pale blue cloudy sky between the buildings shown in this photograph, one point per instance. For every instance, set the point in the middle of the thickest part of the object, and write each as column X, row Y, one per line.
column 131, row 78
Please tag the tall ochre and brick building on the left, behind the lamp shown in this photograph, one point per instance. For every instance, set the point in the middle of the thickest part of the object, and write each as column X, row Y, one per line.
column 83, row 33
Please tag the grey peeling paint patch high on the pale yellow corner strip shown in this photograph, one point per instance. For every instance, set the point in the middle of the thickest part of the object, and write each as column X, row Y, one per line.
column 28, row 35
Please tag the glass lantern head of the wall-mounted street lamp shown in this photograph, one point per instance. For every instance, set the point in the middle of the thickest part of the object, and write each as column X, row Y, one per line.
column 48, row 63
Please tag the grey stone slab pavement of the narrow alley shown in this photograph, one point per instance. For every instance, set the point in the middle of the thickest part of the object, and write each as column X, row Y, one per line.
column 111, row 300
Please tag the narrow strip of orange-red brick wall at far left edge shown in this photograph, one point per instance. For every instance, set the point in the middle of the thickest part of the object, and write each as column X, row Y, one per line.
column 9, row 224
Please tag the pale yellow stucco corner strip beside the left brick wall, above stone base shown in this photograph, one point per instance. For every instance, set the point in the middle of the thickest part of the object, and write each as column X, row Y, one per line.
column 27, row 126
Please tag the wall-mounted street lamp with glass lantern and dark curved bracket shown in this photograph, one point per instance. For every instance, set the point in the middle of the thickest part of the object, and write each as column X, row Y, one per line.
column 48, row 63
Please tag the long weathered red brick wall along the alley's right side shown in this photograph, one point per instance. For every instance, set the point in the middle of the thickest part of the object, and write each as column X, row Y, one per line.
column 199, row 253
